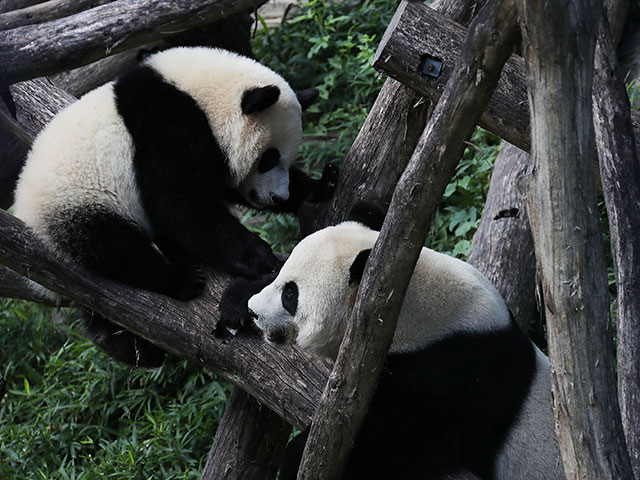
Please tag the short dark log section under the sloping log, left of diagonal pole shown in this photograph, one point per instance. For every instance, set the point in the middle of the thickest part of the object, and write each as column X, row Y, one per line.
column 249, row 441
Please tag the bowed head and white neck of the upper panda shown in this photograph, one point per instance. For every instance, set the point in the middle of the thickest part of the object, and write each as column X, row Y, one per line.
column 253, row 113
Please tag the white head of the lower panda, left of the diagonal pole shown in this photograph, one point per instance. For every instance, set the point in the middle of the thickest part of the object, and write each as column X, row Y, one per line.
column 310, row 300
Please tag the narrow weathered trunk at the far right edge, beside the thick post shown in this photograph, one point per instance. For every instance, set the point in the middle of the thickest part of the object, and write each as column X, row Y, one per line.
column 620, row 173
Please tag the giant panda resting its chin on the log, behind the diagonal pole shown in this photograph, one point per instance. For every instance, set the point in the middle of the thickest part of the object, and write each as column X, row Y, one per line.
column 463, row 389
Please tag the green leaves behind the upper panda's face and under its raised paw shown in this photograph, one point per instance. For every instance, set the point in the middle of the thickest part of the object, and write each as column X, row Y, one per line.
column 330, row 46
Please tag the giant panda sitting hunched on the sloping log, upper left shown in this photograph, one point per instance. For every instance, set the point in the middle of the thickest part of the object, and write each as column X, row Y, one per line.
column 134, row 180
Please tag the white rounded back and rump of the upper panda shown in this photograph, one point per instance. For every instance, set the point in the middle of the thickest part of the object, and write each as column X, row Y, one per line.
column 83, row 156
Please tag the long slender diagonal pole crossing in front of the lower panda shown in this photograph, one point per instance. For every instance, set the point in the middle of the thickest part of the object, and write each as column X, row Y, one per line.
column 352, row 381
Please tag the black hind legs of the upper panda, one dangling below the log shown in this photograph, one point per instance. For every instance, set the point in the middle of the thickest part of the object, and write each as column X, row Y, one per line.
column 112, row 247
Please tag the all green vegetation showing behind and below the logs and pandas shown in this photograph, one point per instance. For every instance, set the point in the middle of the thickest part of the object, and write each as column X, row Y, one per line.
column 72, row 413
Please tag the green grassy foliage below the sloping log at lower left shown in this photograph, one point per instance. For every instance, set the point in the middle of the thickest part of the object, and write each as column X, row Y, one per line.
column 71, row 412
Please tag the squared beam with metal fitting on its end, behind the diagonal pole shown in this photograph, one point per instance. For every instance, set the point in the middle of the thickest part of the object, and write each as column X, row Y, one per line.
column 425, row 32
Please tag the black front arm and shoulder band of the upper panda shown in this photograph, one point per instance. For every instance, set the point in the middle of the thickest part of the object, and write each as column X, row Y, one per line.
column 183, row 177
